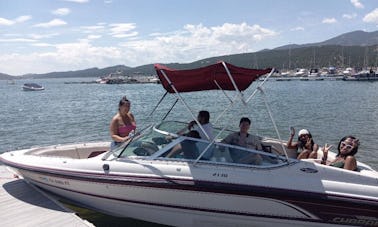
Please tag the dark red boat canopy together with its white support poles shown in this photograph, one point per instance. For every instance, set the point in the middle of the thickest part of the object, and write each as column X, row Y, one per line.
column 220, row 76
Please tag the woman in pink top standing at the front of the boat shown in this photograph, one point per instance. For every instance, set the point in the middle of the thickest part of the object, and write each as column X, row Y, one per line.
column 123, row 123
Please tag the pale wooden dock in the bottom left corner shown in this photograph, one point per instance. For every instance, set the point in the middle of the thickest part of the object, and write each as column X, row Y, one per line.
column 25, row 205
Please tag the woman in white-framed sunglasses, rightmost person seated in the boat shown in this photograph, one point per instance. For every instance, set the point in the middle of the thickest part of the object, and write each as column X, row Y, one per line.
column 347, row 148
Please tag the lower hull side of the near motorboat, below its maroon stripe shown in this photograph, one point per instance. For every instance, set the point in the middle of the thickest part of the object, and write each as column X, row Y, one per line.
column 190, row 208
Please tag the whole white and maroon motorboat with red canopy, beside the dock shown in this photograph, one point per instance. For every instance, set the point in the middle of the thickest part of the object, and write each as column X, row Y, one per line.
column 144, row 179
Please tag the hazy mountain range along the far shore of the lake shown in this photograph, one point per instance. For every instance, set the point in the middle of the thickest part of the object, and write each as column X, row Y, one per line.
column 354, row 49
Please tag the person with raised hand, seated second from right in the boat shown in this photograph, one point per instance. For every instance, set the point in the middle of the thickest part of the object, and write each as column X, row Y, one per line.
column 305, row 144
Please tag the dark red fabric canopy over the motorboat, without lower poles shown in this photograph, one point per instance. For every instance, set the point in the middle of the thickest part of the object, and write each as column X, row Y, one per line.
column 213, row 77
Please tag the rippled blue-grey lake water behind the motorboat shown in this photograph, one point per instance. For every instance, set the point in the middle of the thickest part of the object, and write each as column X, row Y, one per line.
column 68, row 113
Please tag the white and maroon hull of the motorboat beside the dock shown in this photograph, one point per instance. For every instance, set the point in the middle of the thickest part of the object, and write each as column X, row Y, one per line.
column 182, row 194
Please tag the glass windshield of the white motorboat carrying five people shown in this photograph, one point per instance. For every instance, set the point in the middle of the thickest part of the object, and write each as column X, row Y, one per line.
column 162, row 142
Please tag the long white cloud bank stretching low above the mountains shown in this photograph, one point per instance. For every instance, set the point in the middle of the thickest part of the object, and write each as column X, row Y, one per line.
column 191, row 43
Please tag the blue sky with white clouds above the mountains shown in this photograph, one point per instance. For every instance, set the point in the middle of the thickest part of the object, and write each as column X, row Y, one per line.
column 40, row 36
